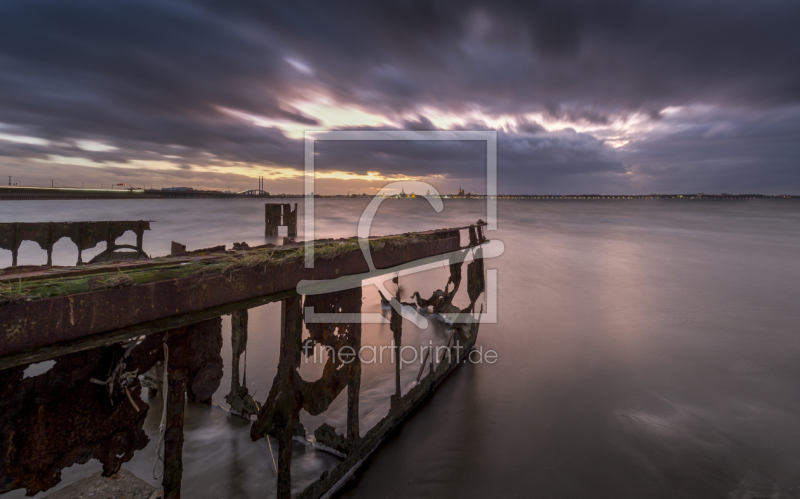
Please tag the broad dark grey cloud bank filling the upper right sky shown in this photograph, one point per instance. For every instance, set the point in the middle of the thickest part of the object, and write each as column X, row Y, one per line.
column 507, row 57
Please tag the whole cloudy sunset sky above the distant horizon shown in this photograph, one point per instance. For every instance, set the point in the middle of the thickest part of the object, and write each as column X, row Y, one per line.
column 608, row 97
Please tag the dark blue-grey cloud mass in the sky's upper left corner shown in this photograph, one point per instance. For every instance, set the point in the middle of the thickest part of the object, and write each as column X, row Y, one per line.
column 127, row 61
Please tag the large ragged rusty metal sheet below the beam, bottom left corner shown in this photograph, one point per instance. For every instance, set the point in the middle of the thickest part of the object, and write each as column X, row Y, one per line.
column 82, row 422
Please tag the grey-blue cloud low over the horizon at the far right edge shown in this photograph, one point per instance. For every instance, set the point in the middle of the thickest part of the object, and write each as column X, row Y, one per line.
column 722, row 151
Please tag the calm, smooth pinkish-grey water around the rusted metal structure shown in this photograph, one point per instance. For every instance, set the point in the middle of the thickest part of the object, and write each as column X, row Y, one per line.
column 647, row 348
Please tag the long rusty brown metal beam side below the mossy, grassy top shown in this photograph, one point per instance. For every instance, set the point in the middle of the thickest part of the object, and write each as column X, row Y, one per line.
column 35, row 324
